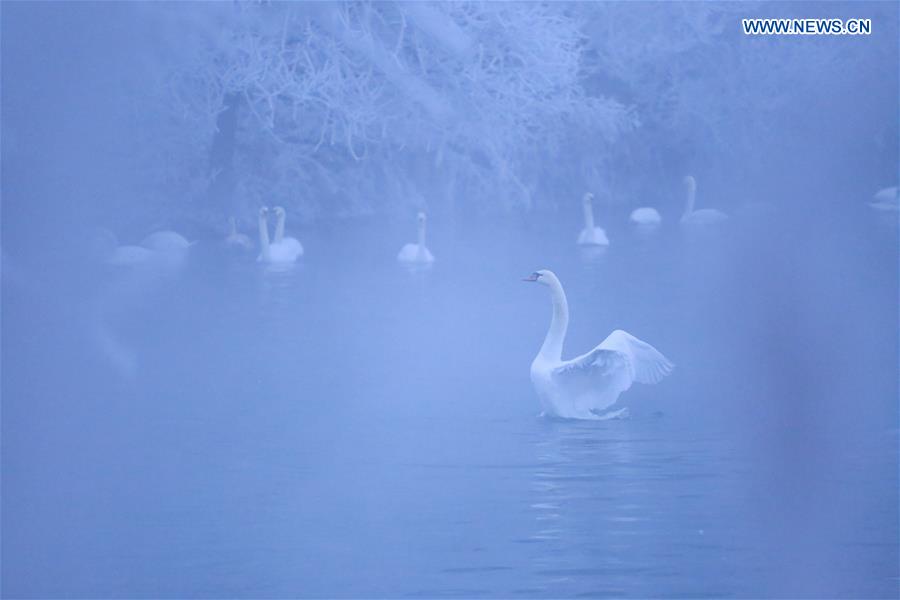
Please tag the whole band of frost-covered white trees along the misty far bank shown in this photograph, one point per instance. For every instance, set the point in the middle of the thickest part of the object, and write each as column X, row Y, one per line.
column 355, row 107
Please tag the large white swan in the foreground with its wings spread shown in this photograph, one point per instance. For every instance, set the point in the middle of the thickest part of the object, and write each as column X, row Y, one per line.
column 587, row 386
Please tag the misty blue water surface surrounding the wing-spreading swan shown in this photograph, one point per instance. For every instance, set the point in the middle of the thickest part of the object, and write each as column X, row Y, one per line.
column 348, row 428
